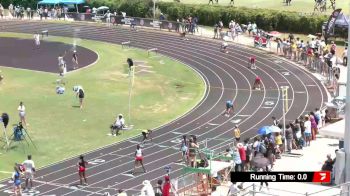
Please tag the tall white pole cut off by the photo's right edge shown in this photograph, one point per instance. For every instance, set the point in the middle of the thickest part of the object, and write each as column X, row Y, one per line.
column 347, row 123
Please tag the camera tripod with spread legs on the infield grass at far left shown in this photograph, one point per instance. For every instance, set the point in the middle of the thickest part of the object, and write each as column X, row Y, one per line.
column 20, row 137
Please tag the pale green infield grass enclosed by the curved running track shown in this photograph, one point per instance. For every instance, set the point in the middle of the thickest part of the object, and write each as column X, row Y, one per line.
column 61, row 130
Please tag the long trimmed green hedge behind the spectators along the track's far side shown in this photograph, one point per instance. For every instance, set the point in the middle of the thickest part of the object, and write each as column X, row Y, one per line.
column 208, row 15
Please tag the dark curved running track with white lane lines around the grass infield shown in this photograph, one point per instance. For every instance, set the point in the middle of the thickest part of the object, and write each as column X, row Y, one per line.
column 226, row 77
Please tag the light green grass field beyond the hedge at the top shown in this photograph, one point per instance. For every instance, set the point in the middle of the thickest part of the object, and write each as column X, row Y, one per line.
column 304, row 6
